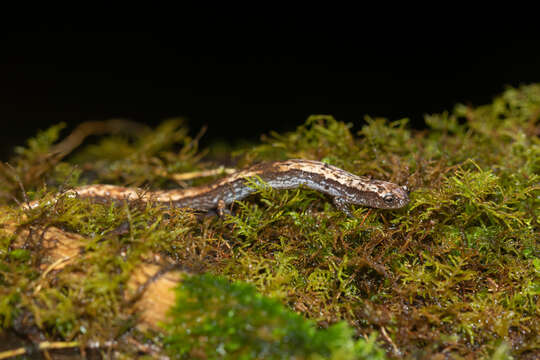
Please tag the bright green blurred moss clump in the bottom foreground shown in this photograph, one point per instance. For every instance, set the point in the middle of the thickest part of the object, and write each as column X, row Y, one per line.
column 237, row 322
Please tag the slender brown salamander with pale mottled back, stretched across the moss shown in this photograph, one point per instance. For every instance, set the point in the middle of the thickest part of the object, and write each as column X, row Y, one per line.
column 345, row 188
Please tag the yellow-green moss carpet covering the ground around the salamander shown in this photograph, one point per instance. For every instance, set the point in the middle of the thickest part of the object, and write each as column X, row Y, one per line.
column 454, row 274
